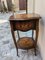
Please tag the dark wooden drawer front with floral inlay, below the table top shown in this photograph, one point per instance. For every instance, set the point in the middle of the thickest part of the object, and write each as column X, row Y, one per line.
column 25, row 26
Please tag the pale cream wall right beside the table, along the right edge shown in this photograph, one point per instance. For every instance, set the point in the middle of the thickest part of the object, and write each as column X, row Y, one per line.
column 40, row 9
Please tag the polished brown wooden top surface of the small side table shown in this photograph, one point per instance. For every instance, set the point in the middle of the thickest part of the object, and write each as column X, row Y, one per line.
column 24, row 17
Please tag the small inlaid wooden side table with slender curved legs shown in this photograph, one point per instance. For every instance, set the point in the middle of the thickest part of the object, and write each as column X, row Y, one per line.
column 25, row 22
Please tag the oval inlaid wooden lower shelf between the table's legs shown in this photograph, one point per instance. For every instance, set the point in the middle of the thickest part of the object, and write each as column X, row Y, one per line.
column 25, row 43
